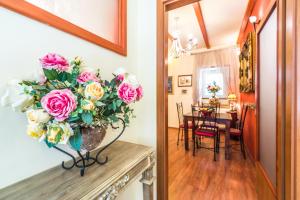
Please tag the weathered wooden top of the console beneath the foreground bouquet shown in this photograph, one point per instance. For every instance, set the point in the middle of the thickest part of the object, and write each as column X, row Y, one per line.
column 57, row 183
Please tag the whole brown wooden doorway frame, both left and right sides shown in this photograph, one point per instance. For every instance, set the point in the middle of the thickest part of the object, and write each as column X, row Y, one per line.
column 287, row 51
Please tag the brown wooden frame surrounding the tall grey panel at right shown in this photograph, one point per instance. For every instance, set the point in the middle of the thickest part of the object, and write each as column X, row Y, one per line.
column 264, row 184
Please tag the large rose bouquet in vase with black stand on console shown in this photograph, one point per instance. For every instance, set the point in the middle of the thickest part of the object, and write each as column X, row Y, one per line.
column 72, row 105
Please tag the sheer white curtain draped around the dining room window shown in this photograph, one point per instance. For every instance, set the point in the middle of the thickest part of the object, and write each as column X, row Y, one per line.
column 223, row 58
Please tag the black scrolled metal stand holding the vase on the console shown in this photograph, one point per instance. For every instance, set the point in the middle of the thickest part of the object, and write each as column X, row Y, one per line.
column 87, row 160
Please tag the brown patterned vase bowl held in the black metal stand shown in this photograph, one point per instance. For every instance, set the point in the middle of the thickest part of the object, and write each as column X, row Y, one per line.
column 92, row 137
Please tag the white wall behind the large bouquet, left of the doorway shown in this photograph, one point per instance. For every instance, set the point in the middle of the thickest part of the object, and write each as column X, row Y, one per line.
column 23, row 41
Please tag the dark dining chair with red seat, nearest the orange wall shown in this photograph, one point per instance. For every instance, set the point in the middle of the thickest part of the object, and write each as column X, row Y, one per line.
column 238, row 132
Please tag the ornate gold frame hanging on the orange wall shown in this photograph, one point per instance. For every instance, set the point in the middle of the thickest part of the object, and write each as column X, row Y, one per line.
column 246, row 72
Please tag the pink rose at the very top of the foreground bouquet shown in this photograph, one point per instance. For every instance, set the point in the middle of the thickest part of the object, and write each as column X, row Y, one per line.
column 54, row 61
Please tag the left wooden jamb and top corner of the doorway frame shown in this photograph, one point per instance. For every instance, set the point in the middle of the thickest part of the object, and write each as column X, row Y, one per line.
column 163, row 6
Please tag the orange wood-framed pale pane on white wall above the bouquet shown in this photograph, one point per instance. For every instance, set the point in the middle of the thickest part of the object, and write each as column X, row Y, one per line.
column 102, row 22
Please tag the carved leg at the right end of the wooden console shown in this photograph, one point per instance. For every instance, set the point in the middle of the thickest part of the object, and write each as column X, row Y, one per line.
column 147, row 181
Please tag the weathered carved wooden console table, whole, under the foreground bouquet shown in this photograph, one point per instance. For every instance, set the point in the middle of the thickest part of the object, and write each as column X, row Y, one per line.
column 127, row 161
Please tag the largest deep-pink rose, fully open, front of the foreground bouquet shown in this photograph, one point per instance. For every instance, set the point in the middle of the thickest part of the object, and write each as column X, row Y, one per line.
column 59, row 103
